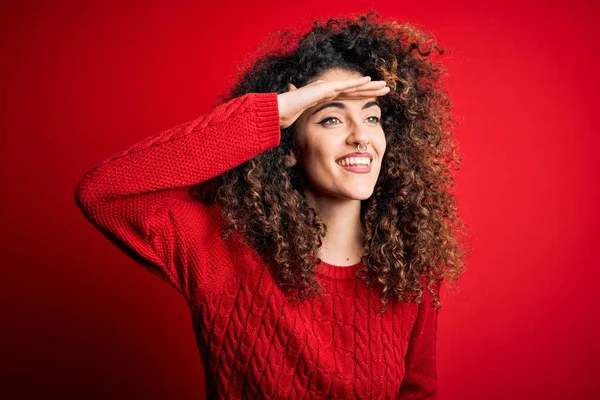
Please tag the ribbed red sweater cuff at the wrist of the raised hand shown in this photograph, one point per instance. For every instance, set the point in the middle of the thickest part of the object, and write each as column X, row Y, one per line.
column 267, row 111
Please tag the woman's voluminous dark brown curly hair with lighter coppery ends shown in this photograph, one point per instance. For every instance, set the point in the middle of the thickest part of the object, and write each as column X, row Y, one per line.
column 411, row 226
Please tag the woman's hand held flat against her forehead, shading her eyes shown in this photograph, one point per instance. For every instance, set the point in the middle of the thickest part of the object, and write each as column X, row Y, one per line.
column 294, row 102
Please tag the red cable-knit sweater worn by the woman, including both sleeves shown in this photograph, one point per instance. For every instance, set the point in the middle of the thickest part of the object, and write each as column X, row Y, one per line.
column 252, row 341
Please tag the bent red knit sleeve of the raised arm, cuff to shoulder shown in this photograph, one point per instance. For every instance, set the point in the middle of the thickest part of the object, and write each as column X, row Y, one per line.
column 138, row 198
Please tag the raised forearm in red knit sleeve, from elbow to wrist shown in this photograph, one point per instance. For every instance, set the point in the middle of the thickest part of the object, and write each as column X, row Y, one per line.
column 189, row 153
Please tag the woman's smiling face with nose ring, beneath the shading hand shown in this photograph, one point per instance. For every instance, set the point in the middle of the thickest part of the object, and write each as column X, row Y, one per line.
column 328, row 132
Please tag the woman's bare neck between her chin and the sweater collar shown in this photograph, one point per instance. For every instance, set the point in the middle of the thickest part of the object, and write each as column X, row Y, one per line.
column 342, row 244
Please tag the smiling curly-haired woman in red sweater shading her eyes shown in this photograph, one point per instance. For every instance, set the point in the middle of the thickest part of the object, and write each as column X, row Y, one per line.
column 307, row 219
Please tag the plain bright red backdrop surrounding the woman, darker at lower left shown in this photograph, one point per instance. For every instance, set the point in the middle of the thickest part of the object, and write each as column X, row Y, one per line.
column 82, row 81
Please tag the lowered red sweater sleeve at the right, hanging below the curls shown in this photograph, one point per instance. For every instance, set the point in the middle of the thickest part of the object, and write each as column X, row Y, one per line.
column 420, row 378
